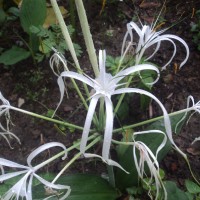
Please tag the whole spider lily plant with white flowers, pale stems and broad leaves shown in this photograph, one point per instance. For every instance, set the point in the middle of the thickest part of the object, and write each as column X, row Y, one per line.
column 138, row 152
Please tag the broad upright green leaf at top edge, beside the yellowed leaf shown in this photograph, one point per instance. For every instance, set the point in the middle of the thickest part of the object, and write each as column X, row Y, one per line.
column 32, row 12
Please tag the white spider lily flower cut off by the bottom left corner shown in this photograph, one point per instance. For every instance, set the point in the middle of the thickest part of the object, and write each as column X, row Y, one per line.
column 23, row 188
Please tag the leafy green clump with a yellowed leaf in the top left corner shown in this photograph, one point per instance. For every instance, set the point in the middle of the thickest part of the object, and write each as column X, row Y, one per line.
column 43, row 33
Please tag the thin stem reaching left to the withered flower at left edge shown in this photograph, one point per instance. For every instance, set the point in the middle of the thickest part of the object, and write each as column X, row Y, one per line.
column 44, row 117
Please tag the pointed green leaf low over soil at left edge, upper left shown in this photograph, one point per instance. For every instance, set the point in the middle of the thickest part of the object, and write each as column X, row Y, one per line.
column 14, row 55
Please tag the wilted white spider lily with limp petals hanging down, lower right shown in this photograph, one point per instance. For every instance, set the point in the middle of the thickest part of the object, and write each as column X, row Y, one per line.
column 147, row 156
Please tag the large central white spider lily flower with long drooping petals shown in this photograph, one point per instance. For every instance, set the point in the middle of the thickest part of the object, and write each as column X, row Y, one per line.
column 106, row 85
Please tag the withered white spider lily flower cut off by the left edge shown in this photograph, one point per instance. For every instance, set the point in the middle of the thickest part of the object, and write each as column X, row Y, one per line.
column 5, row 132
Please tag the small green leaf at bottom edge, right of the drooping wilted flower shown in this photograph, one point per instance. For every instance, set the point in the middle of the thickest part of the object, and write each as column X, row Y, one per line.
column 173, row 192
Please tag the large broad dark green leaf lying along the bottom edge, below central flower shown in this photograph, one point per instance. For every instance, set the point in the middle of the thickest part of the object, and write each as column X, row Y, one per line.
column 84, row 187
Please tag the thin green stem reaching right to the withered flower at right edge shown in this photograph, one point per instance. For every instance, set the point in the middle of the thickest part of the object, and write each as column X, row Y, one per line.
column 151, row 120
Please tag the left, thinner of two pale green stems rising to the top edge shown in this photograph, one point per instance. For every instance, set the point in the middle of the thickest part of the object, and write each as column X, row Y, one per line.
column 70, row 45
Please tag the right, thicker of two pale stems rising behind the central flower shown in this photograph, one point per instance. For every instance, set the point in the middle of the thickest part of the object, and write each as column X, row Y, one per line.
column 87, row 35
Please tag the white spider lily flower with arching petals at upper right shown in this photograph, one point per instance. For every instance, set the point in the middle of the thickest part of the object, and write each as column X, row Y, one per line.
column 148, row 37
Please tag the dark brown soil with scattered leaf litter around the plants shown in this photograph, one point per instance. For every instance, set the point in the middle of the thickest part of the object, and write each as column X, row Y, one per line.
column 38, row 88
